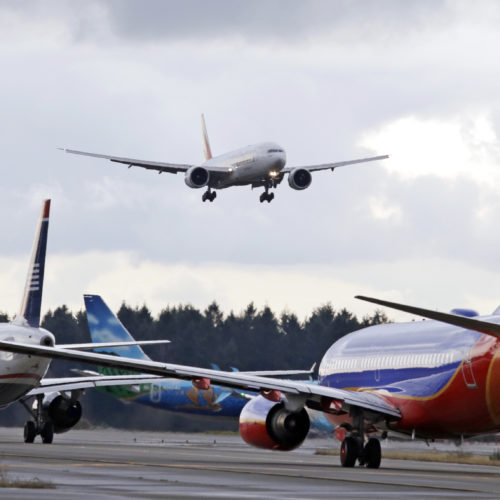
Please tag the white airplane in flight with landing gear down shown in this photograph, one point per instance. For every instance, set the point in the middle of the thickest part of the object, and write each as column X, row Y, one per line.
column 258, row 165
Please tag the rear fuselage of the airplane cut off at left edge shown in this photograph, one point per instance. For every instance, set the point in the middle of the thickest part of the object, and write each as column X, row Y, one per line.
column 20, row 373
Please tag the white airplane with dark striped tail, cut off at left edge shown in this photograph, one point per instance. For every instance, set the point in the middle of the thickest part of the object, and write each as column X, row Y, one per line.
column 56, row 408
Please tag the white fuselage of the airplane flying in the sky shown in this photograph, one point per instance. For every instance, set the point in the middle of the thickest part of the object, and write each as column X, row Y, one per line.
column 249, row 164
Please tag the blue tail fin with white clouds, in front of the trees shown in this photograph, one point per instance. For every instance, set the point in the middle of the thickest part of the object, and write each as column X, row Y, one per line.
column 104, row 326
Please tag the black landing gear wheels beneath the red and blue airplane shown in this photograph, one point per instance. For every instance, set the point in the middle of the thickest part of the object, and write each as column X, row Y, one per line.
column 354, row 447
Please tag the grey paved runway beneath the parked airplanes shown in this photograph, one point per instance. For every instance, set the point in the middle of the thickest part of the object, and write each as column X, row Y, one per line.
column 110, row 464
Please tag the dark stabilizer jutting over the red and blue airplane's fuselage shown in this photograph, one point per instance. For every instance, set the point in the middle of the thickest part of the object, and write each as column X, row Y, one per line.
column 452, row 319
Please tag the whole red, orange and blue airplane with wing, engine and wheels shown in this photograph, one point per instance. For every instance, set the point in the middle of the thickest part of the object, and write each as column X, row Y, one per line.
column 429, row 379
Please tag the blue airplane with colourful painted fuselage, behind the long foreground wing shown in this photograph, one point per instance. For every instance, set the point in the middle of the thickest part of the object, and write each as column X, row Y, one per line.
column 172, row 394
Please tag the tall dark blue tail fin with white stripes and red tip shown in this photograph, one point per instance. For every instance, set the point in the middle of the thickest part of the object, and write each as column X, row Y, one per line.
column 29, row 313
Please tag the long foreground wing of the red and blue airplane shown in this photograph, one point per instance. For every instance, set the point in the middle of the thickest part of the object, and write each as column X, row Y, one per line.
column 315, row 396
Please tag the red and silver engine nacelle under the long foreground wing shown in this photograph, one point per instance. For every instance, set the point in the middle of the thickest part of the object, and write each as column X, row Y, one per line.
column 269, row 425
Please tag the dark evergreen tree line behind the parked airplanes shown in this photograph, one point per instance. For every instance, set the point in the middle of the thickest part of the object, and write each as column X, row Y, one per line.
column 253, row 339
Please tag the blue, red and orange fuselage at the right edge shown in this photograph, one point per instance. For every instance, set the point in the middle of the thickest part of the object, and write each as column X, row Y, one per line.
column 444, row 379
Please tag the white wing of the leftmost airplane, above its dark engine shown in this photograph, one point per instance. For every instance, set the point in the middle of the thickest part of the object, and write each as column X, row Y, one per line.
column 78, row 383
